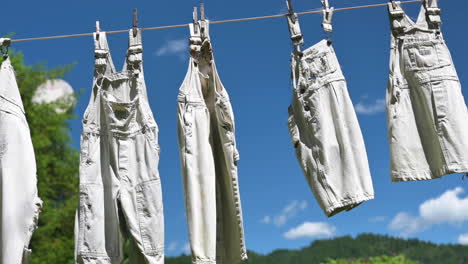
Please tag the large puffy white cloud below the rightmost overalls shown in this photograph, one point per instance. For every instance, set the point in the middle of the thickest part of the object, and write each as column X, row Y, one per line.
column 448, row 208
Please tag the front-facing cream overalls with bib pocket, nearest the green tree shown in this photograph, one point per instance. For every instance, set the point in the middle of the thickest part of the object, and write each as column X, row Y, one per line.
column 120, row 188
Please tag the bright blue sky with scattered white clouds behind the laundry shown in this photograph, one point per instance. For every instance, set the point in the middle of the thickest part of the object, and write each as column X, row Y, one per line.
column 253, row 62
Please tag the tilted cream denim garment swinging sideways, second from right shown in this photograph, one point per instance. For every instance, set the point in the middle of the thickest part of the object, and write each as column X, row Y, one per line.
column 326, row 133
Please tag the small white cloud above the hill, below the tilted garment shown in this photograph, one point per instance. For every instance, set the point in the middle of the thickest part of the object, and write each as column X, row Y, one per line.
column 311, row 230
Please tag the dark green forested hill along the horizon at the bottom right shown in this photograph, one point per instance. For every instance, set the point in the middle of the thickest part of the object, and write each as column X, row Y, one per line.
column 363, row 246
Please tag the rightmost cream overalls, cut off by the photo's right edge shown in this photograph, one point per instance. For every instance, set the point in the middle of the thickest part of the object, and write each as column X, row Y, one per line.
column 426, row 112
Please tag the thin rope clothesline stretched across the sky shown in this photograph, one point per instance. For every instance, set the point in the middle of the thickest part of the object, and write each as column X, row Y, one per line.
column 211, row 22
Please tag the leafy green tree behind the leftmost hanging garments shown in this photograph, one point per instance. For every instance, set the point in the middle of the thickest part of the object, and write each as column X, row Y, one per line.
column 57, row 166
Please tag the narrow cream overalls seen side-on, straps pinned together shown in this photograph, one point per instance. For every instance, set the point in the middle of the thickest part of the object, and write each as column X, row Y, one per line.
column 209, row 161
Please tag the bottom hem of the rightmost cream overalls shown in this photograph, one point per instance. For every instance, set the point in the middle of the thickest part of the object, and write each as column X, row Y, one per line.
column 428, row 175
